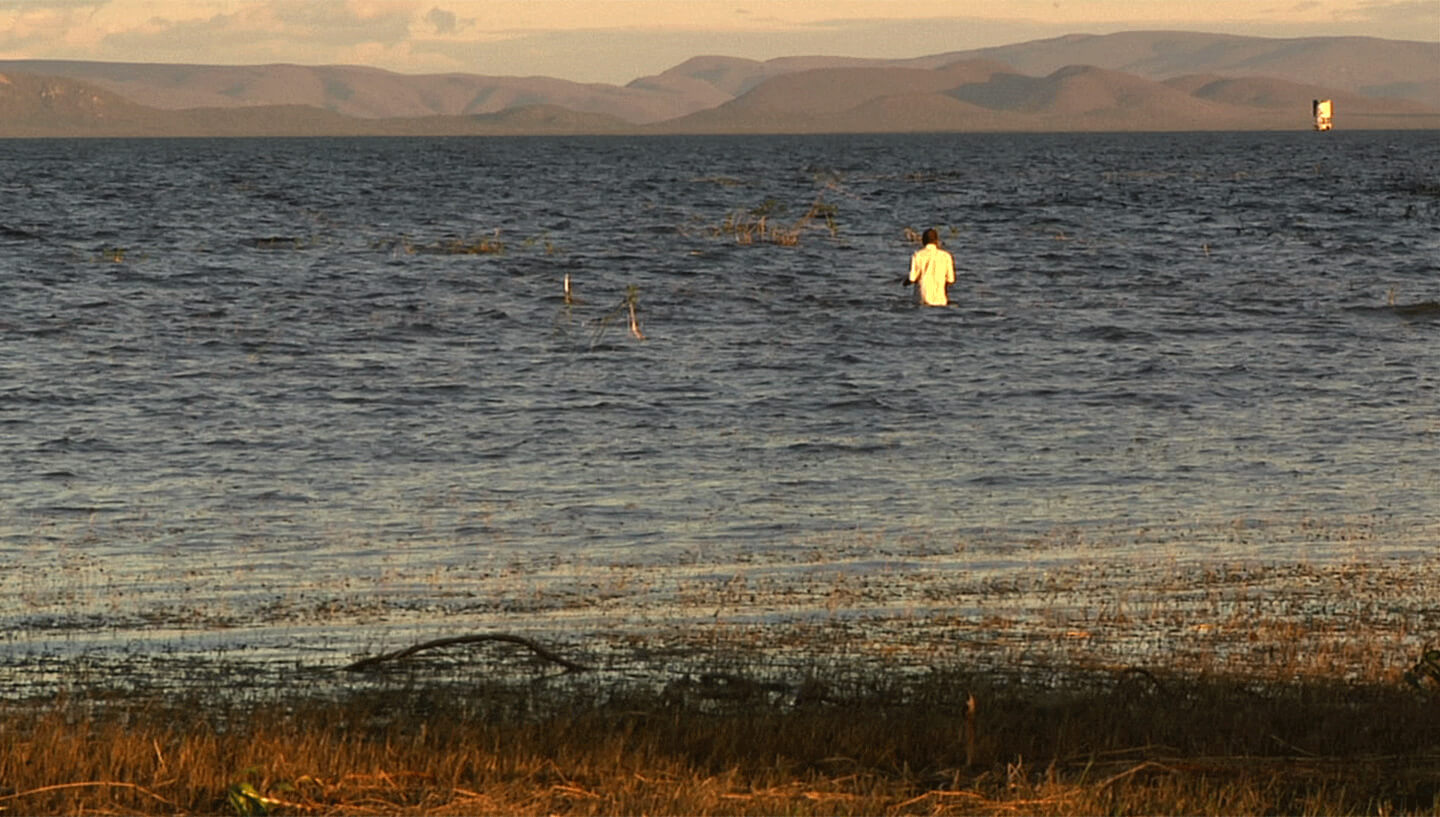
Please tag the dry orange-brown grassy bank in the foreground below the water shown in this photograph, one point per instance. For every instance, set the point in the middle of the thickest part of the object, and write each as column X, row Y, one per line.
column 729, row 743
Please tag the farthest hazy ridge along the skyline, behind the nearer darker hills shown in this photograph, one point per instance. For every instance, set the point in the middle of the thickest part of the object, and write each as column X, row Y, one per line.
column 1362, row 66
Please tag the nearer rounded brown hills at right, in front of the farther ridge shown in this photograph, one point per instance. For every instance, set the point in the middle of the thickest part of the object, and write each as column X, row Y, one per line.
column 978, row 96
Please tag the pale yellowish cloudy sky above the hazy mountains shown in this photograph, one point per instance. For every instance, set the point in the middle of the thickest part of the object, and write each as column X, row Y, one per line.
column 617, row 41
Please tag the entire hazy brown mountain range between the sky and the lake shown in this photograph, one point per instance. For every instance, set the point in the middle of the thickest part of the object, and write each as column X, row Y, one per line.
column 1081, row 83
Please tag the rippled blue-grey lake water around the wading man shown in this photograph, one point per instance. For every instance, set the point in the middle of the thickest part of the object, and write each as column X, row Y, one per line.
column 270, row 393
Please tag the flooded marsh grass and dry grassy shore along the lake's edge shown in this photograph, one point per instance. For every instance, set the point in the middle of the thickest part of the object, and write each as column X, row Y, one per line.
column 834, row 679
